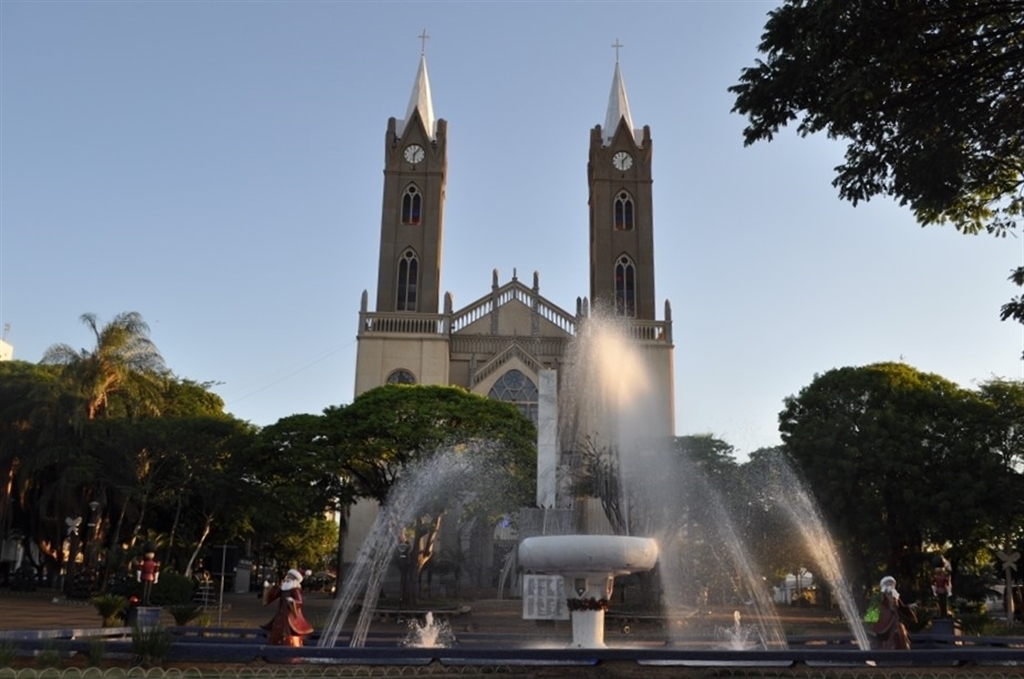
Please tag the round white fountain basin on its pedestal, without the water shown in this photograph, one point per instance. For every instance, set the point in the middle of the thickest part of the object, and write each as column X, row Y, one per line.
column 588, row 565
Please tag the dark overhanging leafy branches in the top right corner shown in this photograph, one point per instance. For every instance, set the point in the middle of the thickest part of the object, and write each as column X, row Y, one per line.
column 928, row 96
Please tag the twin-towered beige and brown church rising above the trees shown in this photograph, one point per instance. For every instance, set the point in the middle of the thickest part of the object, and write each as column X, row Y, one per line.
column 500, row 345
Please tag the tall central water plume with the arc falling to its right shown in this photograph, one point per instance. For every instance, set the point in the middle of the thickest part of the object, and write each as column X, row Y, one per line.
column 612, row 409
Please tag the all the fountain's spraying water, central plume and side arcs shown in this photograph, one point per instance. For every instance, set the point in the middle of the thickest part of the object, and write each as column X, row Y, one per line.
column 609, row 410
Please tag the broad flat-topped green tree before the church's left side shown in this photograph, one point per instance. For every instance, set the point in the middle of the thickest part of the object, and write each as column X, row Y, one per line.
column 391, row 432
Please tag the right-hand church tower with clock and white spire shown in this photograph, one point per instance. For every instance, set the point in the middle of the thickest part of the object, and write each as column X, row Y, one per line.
column 622, row 239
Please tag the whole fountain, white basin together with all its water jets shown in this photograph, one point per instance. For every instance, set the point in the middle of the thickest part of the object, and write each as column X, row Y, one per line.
column 606, row 406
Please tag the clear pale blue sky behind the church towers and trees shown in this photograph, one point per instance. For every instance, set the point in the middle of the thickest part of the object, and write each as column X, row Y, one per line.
column 218, row 167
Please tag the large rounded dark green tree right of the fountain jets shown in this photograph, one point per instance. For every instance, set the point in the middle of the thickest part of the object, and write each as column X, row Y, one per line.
column 900, row 460
